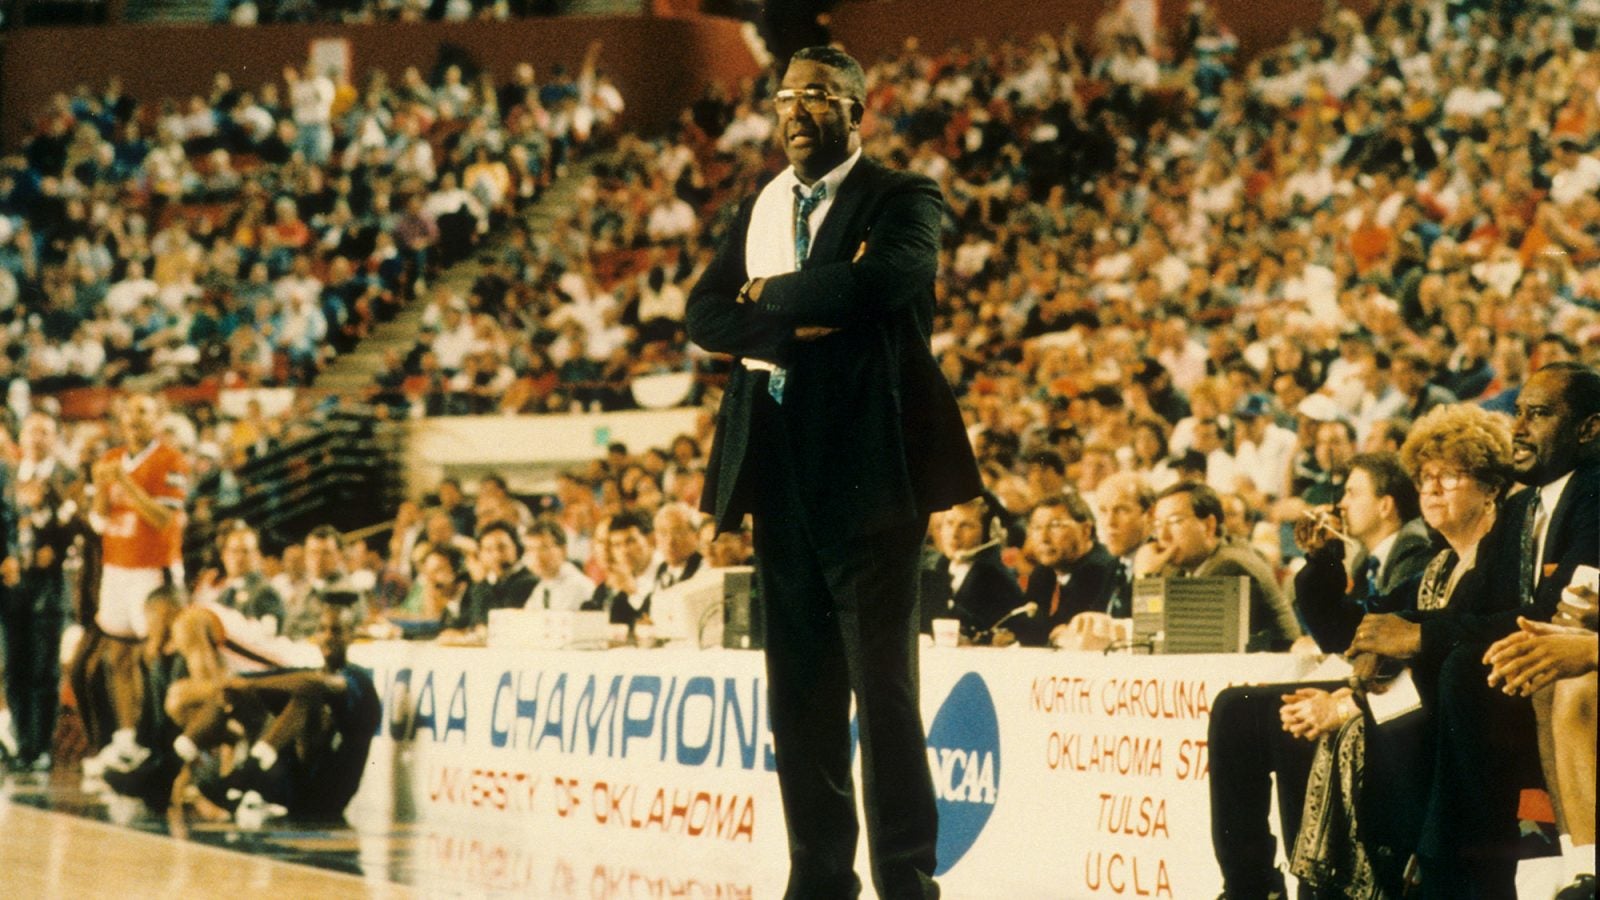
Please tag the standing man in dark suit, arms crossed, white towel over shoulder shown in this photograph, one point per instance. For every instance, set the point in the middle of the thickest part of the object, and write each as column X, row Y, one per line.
column 839, row 435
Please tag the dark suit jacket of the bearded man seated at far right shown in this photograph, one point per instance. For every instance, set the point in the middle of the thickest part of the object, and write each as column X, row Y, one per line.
column 1490, row 611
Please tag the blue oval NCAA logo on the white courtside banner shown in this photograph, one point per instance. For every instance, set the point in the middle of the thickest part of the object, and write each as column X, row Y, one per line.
column 964, row 753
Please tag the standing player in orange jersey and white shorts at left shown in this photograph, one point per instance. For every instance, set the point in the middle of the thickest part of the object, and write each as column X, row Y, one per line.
column 138, row 512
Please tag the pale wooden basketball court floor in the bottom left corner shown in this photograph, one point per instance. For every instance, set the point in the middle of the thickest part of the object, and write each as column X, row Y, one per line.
column 58, row 843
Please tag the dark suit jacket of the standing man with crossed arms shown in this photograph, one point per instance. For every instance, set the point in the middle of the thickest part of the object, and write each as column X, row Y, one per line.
column 874, row 435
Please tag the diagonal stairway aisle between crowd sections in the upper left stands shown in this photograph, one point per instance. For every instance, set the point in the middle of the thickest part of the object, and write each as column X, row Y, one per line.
column 358, row 371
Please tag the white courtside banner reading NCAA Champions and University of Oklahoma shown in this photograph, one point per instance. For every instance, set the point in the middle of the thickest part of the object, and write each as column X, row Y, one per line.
column 650, row 773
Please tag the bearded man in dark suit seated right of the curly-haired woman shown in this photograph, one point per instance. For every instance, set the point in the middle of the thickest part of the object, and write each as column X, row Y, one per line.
column 1489, row 750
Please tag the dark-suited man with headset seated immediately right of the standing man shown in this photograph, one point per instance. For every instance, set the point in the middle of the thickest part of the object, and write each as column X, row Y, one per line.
column 970, row 582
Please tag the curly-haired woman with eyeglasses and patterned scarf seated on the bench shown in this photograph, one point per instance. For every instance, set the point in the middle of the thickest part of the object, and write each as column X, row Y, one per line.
column 1369, row 785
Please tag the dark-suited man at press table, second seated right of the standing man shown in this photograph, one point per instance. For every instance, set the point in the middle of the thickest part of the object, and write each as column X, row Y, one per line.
column 1074, row 573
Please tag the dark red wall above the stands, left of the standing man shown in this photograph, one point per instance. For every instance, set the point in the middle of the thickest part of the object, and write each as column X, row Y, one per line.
column 658, row 63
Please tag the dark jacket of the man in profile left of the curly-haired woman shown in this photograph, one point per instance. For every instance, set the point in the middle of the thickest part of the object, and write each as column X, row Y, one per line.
column 1330, row 606
